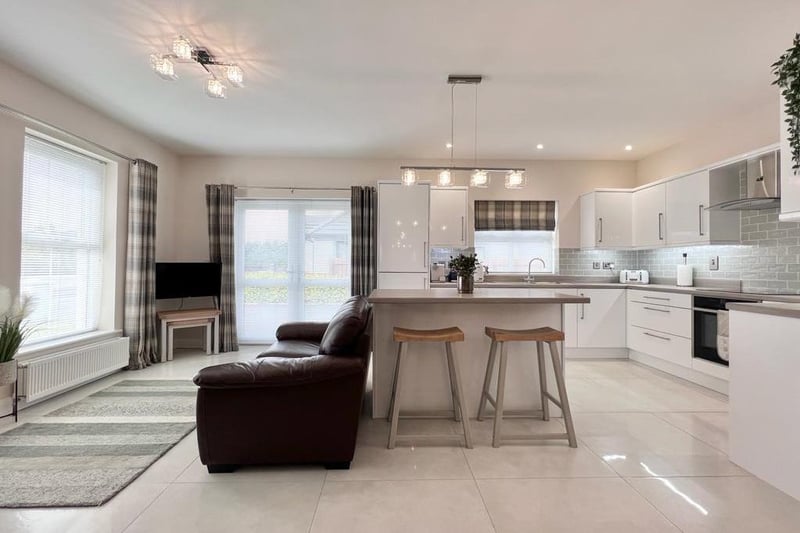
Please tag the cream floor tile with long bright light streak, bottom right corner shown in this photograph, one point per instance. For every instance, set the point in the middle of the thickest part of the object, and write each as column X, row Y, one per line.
column 724, row 505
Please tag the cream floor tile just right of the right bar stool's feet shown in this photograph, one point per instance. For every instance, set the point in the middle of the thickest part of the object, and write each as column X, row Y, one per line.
column 641, row 444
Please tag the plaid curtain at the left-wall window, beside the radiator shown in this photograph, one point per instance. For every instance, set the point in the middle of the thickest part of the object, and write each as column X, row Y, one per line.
column 140, row 270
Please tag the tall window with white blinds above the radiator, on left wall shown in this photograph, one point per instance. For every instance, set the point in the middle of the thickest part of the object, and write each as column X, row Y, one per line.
column 62, row 239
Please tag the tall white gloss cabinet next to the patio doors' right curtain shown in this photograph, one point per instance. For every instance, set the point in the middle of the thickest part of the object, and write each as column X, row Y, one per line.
column 403, row 235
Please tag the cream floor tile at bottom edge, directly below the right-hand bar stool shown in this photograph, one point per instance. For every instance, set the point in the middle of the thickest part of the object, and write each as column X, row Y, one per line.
column 570, row 505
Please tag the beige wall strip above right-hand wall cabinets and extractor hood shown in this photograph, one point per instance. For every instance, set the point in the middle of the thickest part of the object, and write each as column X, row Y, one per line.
column 753, row 128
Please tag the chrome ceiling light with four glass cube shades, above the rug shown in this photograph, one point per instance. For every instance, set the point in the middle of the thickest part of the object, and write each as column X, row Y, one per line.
column 184, row 51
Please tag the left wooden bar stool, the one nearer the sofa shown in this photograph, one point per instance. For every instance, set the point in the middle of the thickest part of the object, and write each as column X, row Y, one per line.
column 448, row 336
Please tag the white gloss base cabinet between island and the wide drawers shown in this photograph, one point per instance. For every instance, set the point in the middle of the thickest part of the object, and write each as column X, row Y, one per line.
column 598, row 324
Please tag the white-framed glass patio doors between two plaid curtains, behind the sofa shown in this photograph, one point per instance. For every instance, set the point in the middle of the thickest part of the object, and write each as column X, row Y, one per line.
column 292, row 263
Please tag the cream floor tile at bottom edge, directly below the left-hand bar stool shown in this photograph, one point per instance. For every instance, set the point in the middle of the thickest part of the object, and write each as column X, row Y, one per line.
column 401, row 507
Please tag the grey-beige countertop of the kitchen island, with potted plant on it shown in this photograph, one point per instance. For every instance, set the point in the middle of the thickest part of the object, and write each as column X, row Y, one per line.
column 480, row 296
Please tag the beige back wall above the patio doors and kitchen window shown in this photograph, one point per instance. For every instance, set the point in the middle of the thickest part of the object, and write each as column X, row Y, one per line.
column 563, row 181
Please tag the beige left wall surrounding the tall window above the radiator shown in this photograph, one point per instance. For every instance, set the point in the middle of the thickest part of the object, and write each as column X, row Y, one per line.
column 26, row 94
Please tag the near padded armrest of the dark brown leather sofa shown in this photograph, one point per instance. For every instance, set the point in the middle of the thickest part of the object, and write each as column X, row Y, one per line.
column 278, row 372
